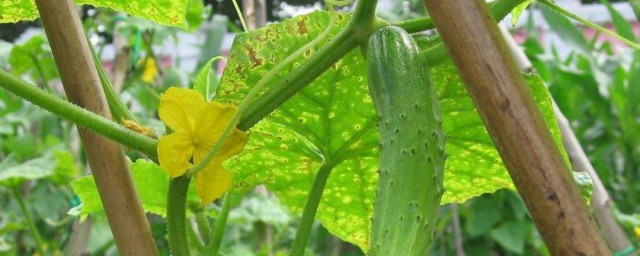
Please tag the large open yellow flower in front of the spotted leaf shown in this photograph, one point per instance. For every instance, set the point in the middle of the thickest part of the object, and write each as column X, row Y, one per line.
column 196, row 127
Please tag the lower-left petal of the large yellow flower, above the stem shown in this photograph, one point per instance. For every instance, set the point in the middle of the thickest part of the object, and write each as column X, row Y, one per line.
column 174, row 152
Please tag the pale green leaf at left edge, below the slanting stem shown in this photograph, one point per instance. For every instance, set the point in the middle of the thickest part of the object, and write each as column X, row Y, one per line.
column 13, row 173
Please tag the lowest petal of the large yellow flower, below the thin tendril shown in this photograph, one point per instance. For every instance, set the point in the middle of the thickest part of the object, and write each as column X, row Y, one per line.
column 212, row 182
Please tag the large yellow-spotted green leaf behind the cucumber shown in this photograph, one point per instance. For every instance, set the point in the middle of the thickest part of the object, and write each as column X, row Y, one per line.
column 333, row 119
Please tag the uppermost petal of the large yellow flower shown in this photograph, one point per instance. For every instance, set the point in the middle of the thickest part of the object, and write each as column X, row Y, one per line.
column 179, row 108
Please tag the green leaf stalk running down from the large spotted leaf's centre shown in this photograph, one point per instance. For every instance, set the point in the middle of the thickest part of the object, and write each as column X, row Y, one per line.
column 310, row 209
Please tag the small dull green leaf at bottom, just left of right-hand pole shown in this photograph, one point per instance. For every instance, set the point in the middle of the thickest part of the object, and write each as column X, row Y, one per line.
column 511, row 236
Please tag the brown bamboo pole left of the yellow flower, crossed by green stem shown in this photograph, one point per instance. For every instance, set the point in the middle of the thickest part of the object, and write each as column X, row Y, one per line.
column 106, row 158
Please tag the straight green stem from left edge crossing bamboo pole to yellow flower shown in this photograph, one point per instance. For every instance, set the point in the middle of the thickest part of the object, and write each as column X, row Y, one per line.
column 79, row 115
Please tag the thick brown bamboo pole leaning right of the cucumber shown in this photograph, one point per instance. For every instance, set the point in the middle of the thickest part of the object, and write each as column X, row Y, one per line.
column 516, row 126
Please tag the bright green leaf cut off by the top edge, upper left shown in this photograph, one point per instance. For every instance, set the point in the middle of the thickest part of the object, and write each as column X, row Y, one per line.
column 167, row 12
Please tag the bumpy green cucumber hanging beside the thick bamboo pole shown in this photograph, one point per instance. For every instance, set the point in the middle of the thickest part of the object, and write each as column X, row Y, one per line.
column 412, row 141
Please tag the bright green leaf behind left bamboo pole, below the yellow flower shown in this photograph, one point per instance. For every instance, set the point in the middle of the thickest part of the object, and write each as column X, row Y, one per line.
column 152, row 184
